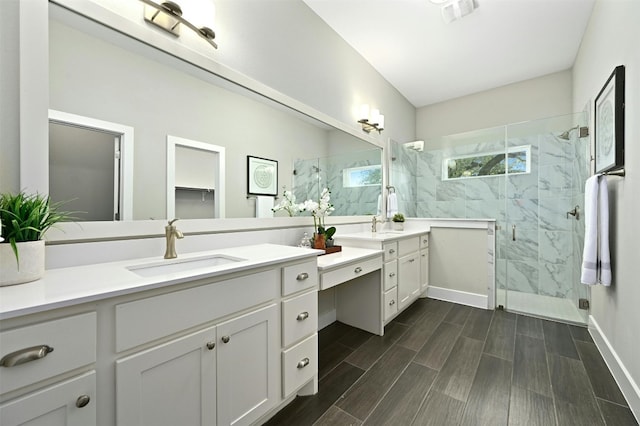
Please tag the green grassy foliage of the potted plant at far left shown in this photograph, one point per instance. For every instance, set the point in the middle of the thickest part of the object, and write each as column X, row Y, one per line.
column 27, row 217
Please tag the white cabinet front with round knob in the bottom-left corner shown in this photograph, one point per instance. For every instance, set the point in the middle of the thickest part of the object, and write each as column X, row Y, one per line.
column 69, row 403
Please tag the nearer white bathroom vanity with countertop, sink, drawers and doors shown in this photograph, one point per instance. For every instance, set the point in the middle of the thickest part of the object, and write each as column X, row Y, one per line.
column 221, row 337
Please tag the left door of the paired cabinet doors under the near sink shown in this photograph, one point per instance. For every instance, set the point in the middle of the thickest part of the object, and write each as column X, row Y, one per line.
column 170, row 384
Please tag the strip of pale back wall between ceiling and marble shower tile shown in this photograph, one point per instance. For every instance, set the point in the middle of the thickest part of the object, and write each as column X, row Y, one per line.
column 540, row 97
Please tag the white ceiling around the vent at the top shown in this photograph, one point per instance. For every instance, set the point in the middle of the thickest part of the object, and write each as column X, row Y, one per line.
column 429, row 61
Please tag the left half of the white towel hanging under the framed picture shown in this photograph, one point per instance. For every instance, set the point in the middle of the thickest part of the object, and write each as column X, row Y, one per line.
column 590, row 250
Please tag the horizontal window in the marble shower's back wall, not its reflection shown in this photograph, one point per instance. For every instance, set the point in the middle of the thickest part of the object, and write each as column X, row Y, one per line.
column 517, row 161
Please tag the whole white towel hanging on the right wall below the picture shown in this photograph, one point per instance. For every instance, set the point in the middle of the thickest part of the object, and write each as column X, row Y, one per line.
column 596, row 264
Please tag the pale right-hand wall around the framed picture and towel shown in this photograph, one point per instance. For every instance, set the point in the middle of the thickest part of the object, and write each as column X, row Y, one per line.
column 613, row 38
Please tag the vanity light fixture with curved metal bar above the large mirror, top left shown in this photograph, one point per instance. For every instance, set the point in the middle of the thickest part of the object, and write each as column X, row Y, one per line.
column 168, row 16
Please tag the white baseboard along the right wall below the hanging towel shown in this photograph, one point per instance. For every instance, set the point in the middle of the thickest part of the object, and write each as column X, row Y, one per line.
column 627, row 385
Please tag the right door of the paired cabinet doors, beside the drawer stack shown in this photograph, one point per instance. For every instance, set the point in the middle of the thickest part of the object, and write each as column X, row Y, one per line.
column 248, row 366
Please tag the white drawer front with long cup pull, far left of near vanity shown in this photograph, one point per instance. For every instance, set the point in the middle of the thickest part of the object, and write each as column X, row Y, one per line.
column 73, row 340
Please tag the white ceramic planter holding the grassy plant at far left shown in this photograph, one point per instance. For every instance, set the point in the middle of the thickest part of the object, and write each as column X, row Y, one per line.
column 31, row 266
